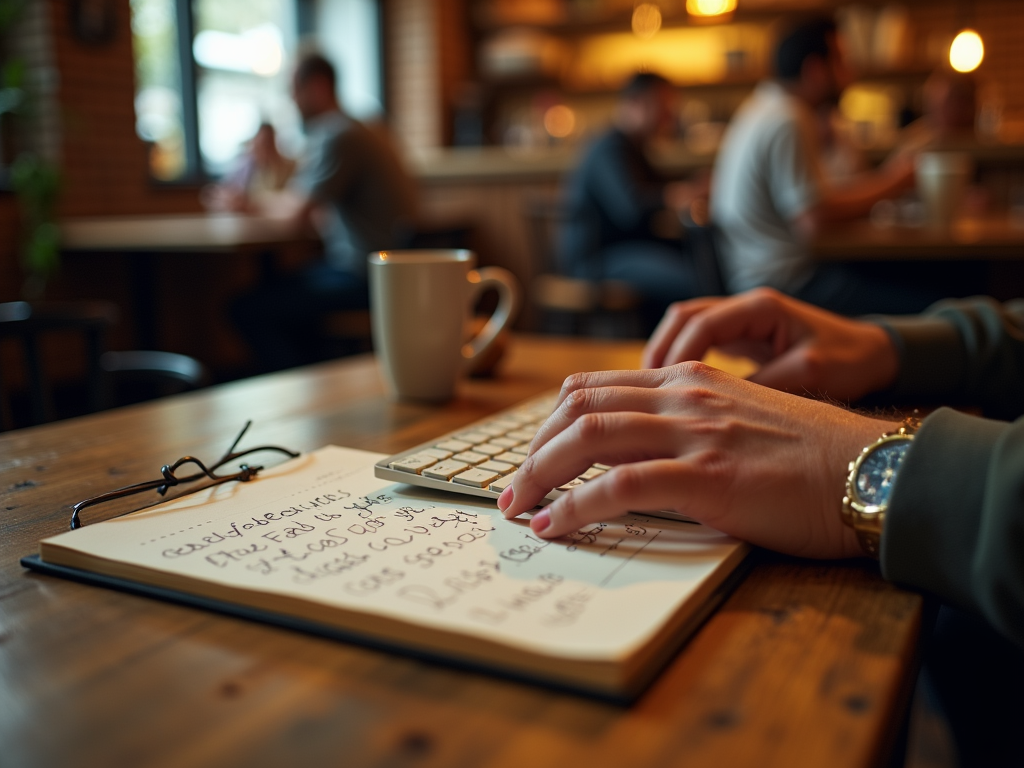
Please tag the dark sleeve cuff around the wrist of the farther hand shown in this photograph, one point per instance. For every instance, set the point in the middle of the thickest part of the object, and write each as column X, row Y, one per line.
column 932, row 358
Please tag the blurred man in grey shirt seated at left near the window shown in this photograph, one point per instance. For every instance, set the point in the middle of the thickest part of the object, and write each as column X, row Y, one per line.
column 353, row 186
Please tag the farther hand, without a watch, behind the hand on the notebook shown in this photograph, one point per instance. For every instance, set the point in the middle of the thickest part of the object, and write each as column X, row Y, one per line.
column 801, row 349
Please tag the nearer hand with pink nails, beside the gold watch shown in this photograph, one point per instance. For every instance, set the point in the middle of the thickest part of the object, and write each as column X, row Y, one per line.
column 760, row 465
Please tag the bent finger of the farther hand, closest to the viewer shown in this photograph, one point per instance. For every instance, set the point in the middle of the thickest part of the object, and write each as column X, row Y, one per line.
column 753, row 317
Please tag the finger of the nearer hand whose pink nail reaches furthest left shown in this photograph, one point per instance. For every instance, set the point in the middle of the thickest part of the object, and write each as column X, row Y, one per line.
column 607, row 439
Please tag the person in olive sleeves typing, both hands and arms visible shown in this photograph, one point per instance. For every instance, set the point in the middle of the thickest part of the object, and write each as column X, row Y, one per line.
column 757, row 461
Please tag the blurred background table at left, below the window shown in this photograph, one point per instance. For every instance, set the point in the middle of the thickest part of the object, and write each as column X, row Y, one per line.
column 145, row 238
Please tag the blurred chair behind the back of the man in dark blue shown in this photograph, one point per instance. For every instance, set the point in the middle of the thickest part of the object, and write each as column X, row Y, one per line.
column 583, row 307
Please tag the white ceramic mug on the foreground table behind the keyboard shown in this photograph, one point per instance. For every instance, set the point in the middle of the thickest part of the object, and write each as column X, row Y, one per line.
column 420, row 304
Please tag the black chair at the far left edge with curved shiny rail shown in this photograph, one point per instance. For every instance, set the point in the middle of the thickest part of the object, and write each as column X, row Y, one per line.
column 28, row 324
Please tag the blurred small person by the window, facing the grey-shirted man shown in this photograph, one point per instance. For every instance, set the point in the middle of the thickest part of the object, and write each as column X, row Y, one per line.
column 261, row 170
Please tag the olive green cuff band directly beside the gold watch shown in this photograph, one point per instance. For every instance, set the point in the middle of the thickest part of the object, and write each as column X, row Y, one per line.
column 934, row 518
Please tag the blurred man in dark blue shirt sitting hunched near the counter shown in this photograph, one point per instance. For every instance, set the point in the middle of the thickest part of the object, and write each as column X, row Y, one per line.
column 619, row 219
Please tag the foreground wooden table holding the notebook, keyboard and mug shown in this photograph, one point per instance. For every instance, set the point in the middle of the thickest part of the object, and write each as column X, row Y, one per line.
column 806, row 664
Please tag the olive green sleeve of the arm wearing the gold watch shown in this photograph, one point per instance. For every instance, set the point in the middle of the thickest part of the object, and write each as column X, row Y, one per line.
column 956, row 522
